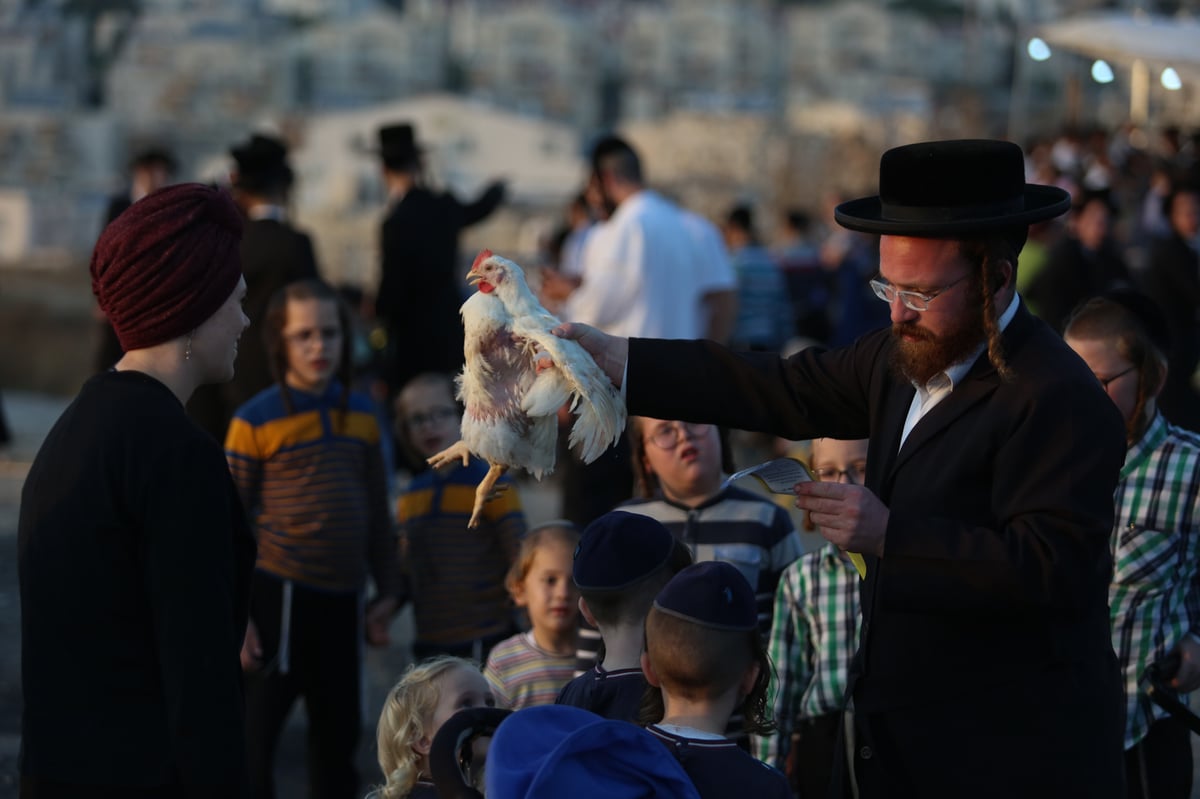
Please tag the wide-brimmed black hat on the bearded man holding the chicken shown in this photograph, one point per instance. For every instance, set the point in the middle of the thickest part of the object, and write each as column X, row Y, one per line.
column 950, row 189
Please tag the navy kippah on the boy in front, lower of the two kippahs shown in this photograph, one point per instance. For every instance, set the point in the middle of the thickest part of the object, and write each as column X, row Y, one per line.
column 712, row 594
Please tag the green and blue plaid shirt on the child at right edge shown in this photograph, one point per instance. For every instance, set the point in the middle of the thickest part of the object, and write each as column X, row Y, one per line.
column 1156, row 545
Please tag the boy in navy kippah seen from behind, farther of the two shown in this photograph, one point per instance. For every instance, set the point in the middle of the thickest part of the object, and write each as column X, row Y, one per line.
column 622, row 563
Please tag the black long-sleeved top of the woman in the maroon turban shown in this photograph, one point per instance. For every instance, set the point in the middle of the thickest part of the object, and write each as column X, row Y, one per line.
column 135, row 560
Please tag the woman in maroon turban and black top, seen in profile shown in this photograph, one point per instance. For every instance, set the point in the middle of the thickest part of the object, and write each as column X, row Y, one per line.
column 135, row 556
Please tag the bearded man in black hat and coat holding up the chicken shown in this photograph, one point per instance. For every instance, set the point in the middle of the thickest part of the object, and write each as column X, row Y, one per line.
column 985, row 666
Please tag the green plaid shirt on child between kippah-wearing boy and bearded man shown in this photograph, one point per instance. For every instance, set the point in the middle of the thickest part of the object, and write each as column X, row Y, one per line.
column 813, row 639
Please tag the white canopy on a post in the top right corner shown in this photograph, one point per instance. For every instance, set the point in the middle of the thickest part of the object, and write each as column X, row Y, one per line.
column 1144, row 44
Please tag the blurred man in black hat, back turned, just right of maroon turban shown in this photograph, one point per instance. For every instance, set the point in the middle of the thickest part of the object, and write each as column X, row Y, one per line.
column 273, row 255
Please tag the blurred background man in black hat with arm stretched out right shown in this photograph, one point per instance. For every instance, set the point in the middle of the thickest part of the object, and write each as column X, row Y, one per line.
column 421, row 286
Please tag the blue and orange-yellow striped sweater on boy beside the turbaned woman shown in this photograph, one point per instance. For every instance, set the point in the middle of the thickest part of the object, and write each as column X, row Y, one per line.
column 315, row 486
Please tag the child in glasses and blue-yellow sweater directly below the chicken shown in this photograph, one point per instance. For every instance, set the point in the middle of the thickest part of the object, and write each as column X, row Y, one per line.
column 455, row 575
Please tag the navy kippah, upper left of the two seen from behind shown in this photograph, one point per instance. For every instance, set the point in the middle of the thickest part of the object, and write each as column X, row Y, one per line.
column 619, row 550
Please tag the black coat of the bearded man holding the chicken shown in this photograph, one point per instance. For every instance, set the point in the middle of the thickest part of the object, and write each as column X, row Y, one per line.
column 986, row 664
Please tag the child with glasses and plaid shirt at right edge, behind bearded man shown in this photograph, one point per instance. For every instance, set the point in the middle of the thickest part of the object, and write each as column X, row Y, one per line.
column 1155, row 593
